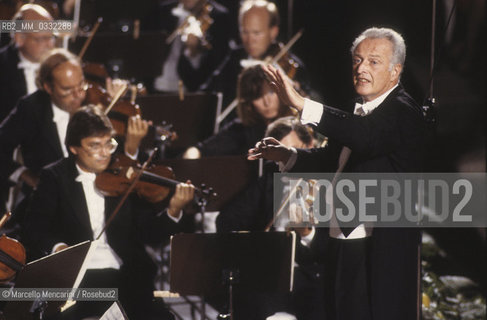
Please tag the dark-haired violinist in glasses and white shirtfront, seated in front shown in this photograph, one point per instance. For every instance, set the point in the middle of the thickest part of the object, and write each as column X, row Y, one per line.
column 68, row 208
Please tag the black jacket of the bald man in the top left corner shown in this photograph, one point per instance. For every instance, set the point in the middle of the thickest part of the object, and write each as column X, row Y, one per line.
column 12, row 80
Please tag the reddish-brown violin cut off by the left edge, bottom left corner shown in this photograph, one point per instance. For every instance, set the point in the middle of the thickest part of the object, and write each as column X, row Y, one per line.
column 12, row 254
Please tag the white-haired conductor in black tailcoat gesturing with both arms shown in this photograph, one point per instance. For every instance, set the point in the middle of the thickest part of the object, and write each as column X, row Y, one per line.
column 385, row 133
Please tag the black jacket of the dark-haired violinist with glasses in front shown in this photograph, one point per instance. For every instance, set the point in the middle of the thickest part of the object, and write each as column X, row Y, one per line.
column 57, row 212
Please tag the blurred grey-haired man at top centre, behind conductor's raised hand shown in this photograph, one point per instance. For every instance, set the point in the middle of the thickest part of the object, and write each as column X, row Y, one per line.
column 258, row 22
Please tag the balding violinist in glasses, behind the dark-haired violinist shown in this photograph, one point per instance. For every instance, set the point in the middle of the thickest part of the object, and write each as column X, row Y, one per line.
column 38, row 122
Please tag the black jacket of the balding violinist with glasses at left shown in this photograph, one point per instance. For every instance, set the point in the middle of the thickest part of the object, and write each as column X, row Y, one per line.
column 30, row 126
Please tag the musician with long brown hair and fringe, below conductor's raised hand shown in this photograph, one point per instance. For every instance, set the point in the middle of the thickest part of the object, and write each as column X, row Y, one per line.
column 258, row 106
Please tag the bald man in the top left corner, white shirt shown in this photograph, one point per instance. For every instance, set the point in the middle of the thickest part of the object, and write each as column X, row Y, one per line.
column 19, row 60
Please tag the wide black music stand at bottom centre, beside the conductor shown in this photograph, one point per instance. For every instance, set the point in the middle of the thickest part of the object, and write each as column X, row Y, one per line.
column 258, row 262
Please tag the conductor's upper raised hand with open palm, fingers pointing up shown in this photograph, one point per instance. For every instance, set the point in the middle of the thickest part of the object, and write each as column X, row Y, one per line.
column 284, row 88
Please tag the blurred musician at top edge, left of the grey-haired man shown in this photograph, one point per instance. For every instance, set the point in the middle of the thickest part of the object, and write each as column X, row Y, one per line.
column 198, row 45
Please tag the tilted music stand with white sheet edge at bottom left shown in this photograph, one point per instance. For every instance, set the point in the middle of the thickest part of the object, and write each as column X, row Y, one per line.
column 45, row 273
